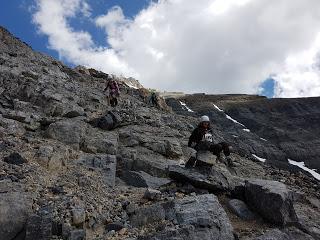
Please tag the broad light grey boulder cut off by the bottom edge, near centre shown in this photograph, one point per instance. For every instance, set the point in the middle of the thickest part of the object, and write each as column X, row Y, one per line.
column 196, row 217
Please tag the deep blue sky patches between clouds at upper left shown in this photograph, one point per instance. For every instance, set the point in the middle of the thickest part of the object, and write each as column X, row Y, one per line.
column 16, row 16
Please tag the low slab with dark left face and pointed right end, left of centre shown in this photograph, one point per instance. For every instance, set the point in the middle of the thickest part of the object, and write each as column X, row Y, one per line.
column 142, row 179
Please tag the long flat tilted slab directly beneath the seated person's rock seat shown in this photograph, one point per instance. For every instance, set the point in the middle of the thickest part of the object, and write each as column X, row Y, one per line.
column 215, row 181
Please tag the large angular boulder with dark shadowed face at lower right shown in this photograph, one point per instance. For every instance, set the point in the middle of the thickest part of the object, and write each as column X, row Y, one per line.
column 271, row 199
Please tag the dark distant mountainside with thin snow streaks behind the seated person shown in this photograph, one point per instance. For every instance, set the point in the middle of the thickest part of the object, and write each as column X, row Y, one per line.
column 280, row 129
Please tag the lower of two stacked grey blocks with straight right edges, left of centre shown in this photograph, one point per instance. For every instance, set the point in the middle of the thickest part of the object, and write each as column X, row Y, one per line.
column 107, row 164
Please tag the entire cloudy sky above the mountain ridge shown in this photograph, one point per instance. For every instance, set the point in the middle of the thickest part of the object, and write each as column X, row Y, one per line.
column 267, row 47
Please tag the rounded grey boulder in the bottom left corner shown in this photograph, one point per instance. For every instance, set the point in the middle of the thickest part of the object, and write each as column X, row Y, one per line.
column 14, row 210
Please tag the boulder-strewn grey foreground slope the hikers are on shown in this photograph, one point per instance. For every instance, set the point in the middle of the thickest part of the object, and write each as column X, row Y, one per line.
column 72, row 167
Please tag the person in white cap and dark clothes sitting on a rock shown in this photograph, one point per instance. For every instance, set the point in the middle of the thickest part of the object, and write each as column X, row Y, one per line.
column 201, row 140
